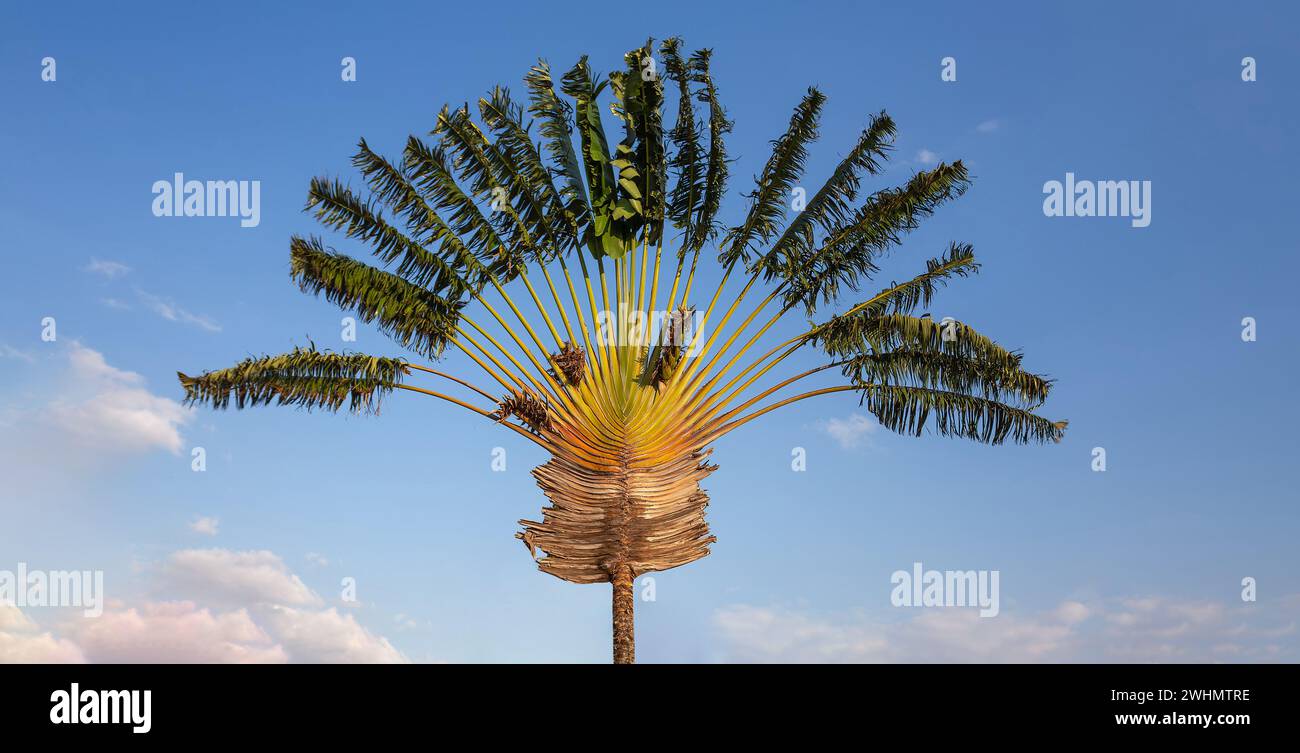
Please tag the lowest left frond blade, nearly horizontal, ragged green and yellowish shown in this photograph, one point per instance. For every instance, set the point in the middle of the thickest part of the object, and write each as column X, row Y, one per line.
column 305, row 378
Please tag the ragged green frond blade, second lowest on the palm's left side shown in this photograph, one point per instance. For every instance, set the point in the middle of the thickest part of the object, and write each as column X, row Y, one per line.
column 413, row 317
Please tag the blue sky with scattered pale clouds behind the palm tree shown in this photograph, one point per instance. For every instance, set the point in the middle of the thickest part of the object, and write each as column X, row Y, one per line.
column 1142, row 330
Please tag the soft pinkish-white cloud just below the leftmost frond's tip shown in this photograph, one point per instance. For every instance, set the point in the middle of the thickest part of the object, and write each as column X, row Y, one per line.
column 114, row 412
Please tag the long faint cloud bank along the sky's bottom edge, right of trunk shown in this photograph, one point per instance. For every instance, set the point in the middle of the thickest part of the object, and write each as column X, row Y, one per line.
column 1106, row 631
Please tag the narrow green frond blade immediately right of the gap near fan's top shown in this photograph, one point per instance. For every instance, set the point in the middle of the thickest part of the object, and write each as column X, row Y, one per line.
column 775, row 184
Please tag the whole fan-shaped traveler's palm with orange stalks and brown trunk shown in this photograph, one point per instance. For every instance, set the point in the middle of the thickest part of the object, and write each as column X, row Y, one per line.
column 629, row 375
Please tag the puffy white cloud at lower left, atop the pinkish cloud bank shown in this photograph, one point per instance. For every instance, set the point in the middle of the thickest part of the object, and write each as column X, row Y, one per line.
column 239, row 578
